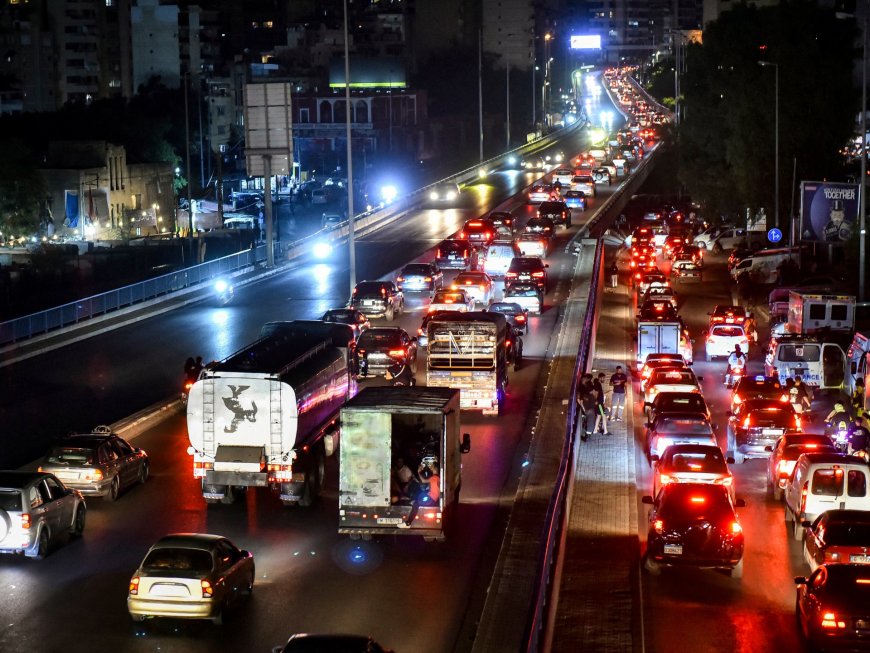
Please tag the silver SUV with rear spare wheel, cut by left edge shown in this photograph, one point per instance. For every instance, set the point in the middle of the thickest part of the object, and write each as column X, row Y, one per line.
column 36, row 512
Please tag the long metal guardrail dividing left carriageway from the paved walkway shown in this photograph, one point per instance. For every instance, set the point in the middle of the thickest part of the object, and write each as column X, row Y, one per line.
column 556, row 509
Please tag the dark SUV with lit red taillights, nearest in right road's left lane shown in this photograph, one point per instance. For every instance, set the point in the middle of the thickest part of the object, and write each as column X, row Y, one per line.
column 694, row 525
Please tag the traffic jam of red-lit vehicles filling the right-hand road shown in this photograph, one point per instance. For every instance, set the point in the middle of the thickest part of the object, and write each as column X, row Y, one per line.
column 724, row 390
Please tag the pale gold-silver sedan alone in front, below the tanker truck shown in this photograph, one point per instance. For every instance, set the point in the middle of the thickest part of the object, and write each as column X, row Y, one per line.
column 190, row 576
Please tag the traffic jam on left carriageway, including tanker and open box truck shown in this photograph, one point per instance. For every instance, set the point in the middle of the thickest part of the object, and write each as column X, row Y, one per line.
column 395, row 392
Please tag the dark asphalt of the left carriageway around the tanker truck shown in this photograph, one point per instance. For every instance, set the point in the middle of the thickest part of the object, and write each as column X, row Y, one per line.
column 411, row 596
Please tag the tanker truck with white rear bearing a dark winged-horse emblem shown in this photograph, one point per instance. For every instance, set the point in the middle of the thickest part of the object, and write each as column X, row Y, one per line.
column 262, row 417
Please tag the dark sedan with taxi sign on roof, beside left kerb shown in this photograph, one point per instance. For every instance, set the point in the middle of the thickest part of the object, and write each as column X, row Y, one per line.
column 96, row 464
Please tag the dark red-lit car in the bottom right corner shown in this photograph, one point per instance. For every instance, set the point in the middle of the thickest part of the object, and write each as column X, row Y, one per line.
column 833, row 607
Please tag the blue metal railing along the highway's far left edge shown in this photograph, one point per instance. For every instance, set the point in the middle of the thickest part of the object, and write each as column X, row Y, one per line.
column 75, row 312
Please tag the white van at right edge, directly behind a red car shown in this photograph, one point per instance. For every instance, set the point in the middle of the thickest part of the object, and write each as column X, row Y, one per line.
column 825, row 481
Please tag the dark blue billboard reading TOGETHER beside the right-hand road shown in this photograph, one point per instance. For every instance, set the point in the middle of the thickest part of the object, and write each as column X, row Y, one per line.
column 829, row 211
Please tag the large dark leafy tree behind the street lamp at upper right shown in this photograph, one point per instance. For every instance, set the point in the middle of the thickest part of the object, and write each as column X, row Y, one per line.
column 727, row 136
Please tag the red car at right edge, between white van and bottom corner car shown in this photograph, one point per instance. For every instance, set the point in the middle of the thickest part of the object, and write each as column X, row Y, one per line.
column 838, row 536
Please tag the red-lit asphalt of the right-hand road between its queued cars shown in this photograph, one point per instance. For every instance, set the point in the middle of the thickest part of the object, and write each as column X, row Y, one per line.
column 686, row 610
